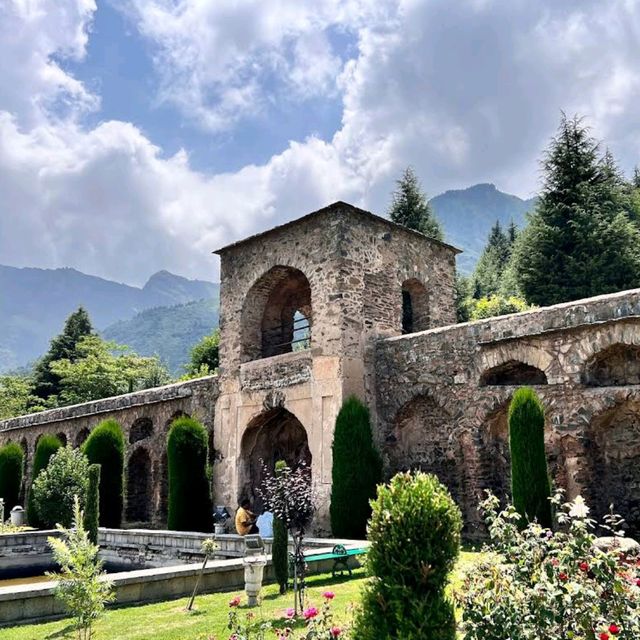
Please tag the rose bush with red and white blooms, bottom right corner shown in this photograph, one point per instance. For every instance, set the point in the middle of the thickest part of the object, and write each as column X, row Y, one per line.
column 538, row 583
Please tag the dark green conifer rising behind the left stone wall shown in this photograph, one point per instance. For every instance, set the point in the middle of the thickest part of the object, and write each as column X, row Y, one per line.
column 46, row 383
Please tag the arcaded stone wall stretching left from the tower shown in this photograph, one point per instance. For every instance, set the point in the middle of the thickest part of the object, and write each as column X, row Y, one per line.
column 145, row 417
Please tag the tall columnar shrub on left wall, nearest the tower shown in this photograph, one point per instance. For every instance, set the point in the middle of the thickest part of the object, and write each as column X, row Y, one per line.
column 190, row 506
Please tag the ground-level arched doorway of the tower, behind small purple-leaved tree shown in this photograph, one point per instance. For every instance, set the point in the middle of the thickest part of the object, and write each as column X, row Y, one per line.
column 275, row 434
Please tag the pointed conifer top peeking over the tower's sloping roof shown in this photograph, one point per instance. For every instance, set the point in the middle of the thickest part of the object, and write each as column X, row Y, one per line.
column 410, row 207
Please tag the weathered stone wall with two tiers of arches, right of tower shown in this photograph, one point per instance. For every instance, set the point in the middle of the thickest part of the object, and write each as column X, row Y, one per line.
column 443, row 394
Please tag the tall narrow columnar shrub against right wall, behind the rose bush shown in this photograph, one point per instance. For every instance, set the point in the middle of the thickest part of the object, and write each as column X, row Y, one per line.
column 530, row 485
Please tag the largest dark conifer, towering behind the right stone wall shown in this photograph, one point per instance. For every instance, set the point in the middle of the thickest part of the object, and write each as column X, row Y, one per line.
column 579, row 241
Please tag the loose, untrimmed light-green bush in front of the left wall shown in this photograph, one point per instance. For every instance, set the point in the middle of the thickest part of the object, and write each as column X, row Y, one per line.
column 65, row 477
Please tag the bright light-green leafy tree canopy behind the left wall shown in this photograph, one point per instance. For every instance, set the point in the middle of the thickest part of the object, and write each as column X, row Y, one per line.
column 103, row 369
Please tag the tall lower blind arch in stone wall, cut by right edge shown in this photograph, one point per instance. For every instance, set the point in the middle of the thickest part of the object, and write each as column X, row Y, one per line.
column 613, row 454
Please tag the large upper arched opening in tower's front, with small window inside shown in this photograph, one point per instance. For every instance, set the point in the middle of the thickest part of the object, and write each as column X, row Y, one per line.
column 276, row 314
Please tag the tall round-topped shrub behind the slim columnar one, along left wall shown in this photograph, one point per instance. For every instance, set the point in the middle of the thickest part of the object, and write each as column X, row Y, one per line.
column 105, row 446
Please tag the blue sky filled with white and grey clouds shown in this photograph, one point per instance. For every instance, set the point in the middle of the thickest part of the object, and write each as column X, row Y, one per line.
column 137, row 135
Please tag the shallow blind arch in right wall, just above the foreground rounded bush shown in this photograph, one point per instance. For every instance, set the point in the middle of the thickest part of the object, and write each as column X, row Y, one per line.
column 423, row 439
